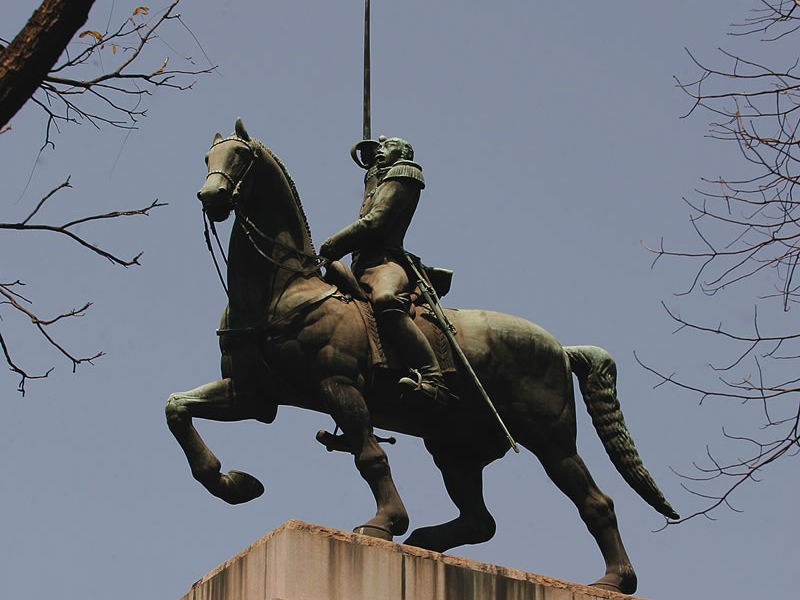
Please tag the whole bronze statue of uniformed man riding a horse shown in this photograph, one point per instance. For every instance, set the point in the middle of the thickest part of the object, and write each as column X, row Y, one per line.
column 366, row 348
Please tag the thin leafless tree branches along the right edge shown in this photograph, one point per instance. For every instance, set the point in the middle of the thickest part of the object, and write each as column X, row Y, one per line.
column 748, row 229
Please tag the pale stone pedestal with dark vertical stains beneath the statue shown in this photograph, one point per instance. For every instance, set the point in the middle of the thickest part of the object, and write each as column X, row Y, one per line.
column 299, row 561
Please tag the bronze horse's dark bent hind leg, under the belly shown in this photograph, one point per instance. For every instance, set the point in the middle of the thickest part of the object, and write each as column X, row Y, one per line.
column 463, row 479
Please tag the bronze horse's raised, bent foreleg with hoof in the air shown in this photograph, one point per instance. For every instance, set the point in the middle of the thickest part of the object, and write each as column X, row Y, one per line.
column 211, row 401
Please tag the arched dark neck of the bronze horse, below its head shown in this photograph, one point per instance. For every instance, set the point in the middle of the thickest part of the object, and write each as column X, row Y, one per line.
column 265, row 276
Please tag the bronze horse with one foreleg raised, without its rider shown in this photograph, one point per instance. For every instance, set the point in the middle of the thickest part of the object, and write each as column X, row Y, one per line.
column 288, row 336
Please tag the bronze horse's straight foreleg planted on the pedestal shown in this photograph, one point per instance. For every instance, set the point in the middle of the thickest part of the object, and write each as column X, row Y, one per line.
column 347, row 406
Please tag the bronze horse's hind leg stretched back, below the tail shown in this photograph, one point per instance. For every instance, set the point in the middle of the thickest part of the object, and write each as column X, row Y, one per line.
column 569, row 473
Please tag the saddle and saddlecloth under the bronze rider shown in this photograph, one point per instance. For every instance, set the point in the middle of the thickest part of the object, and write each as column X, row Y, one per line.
column 382, row 355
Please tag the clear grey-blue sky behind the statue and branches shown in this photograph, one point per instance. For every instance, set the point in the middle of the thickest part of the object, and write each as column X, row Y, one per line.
column 552, row 147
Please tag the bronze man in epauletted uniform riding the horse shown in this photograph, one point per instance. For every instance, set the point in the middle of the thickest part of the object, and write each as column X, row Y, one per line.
column 392, row 190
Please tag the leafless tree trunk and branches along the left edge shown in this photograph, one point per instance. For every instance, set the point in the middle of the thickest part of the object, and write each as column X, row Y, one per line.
column 41, row 65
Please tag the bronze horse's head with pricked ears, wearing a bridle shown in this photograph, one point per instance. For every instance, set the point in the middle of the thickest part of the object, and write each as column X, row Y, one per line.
column 230, row 161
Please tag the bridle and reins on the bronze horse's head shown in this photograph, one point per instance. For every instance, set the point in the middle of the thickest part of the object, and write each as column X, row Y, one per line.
column 251, row 230
